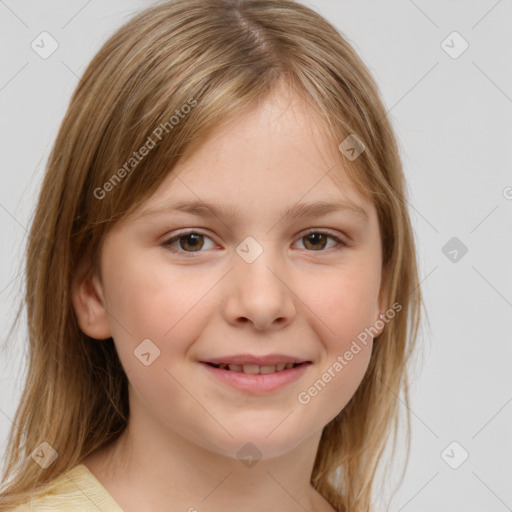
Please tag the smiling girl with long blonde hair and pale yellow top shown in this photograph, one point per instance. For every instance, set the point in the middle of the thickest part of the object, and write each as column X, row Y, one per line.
column 222, row 288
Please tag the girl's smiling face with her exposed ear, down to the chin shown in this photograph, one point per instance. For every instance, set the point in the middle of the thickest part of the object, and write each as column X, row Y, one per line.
column 181, row 288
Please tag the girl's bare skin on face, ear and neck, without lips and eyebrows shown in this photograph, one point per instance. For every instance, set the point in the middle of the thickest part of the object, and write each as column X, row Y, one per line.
column 304, row 299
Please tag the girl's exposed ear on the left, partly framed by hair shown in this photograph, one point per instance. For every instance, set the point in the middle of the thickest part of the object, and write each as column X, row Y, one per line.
column 89, row 305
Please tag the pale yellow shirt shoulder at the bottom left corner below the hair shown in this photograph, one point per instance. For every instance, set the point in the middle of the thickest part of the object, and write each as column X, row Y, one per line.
column 75, row 490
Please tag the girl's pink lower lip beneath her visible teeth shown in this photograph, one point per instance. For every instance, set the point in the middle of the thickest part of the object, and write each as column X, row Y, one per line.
column 257, row 384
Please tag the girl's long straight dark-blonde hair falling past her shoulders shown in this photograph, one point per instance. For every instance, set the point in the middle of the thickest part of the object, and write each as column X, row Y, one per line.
column 226, row 56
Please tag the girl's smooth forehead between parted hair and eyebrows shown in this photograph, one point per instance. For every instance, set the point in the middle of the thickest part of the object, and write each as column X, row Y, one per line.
column 273, row 155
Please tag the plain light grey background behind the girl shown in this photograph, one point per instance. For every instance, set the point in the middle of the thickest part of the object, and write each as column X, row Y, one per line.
column 453, row 118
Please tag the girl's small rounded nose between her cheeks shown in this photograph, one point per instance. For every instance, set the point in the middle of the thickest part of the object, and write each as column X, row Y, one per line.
column 260, row 293
